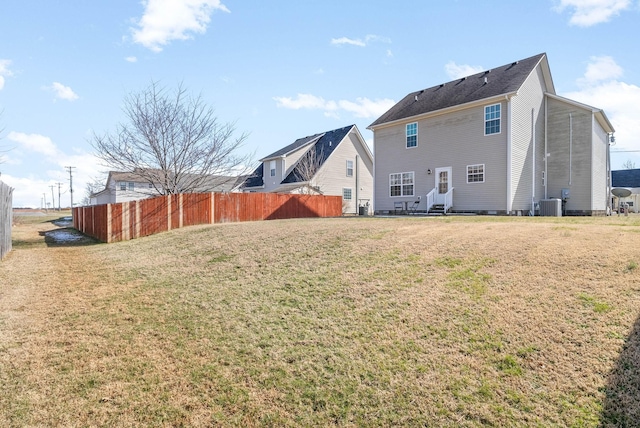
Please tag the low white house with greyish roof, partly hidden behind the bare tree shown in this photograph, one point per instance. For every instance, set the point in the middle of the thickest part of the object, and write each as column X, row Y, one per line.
column 131, row 186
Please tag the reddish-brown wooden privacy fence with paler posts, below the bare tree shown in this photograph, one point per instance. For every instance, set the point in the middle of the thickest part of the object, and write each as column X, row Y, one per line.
column 135, row 219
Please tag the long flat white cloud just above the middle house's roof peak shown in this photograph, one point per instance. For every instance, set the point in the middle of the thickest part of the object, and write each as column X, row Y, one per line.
column 361, row 107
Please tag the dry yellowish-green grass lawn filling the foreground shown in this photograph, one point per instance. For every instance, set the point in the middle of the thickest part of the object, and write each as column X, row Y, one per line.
column 450, row 321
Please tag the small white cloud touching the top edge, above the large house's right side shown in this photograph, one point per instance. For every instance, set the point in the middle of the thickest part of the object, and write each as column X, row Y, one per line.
column 586, row 13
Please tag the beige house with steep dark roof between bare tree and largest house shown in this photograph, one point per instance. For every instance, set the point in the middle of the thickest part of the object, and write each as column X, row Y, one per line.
column 336, row 162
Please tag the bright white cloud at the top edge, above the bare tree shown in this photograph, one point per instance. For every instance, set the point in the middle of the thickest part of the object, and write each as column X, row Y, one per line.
column 167, row 20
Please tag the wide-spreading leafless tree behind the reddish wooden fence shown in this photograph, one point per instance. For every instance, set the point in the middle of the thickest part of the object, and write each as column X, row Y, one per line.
column 173, row 141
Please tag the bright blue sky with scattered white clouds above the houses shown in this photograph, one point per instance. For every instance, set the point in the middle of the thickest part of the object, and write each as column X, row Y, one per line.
column 283, row 69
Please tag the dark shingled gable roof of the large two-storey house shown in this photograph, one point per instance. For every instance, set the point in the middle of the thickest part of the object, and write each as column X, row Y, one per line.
column 499, row 81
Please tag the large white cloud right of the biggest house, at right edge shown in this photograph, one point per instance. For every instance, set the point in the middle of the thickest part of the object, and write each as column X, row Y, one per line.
column 600, row 88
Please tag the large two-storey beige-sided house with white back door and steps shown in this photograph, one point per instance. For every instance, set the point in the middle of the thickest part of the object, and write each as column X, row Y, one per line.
column 496, row 142
